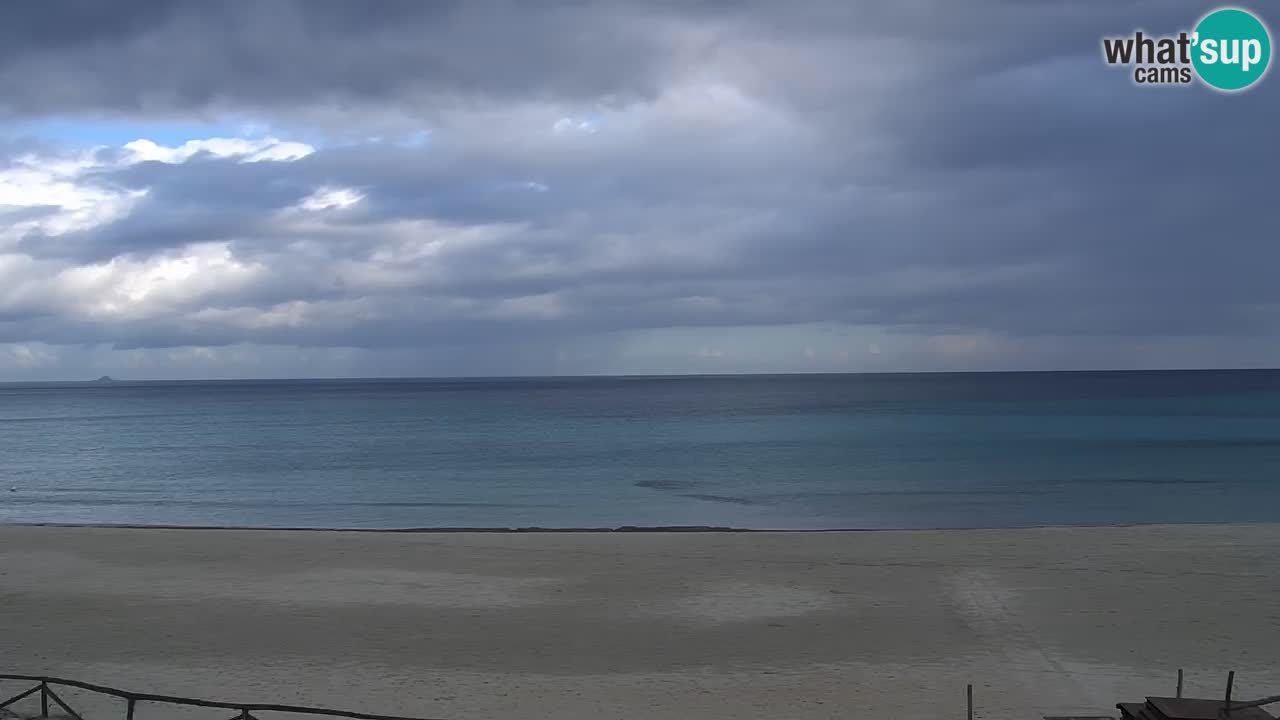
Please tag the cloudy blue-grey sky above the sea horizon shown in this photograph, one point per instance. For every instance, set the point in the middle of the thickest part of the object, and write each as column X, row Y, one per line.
column 487, row 188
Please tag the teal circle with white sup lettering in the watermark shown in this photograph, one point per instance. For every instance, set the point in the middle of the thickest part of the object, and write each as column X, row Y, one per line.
column 1232, row 49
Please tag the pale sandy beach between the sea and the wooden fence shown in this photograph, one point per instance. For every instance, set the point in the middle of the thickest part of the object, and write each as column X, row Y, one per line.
column 647, row 626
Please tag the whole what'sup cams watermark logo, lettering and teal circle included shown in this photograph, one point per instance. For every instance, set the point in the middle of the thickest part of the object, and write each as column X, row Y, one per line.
column 1229, row 51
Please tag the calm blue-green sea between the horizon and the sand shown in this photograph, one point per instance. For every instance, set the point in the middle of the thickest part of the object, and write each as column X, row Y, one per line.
column 866, row 452
